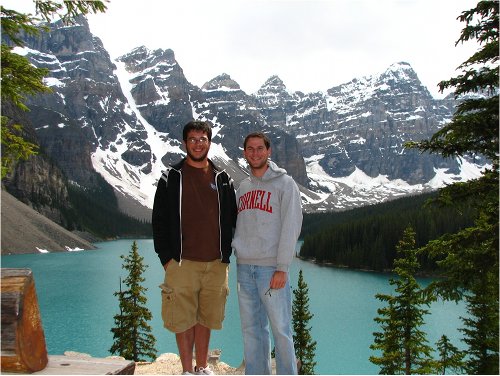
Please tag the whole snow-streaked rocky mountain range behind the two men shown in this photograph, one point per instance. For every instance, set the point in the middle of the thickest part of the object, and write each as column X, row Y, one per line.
column 124, row 119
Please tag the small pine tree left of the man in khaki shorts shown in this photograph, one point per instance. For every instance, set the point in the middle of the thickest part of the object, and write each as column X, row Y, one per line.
column 132, row 334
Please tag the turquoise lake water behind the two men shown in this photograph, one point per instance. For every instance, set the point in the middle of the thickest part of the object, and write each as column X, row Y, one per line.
column 75, row 294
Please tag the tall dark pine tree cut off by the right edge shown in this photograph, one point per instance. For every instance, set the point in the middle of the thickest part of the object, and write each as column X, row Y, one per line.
column 469, row 258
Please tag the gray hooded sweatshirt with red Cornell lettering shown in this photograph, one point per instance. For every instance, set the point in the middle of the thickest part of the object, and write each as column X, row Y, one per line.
column 269, row 219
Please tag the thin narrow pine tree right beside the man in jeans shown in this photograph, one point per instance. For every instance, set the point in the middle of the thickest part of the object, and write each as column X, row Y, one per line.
column 305, row 347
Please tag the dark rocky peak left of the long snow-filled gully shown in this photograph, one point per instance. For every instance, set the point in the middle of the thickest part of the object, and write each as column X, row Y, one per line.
column 86, row 109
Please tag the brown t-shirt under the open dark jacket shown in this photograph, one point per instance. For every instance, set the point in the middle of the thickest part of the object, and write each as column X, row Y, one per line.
column 200, row 214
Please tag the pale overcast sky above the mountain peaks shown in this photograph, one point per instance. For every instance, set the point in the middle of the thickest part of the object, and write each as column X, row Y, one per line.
column 311, row 45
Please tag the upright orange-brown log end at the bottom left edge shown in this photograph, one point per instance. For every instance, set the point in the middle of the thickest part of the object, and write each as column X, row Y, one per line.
column 23, row 340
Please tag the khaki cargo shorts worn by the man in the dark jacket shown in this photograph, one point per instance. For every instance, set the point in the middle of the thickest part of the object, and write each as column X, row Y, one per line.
column 194, row 292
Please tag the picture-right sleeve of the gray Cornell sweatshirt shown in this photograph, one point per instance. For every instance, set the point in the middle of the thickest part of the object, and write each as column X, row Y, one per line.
column 291, row 224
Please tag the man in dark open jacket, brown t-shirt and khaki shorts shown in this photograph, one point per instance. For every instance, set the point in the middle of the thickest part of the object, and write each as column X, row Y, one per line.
column 194, row 214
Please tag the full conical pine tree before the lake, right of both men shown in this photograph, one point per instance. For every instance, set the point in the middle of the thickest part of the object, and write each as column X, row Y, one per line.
column 403, row 345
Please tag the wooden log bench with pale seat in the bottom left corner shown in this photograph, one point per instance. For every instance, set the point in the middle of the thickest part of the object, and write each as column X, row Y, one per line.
column 23, row 348
